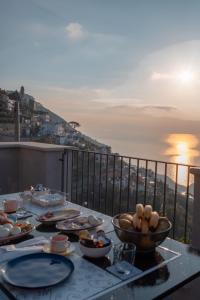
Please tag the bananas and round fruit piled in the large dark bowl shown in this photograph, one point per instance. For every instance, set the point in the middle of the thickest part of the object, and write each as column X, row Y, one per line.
column 144, row 220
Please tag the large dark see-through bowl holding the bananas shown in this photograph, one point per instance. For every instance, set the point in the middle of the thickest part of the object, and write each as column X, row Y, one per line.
column 145, row 242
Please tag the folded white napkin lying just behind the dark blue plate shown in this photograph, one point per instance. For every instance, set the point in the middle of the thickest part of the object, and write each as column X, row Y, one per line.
column 34, row 245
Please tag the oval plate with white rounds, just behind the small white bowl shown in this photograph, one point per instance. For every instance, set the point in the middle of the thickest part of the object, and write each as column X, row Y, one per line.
column 65, row 226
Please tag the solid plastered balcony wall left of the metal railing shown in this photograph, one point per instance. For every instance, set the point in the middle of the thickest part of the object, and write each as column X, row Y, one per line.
column 28, row 163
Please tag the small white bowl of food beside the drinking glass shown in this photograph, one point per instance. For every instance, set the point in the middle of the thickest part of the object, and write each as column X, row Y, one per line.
column 95, row 252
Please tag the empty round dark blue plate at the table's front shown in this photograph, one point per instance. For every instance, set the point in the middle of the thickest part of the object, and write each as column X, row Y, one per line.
column 37, row 270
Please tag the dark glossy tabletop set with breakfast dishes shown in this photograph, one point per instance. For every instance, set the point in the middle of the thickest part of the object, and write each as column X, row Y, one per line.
column 90, row 281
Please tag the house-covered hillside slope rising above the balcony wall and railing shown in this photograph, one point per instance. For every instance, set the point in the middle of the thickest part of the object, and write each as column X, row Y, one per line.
column 37, row 123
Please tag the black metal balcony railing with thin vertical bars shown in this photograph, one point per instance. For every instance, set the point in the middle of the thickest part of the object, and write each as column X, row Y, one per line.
column 113, row 184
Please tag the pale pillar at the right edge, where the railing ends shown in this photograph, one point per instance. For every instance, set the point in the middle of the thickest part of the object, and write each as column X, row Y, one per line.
column 196, row 209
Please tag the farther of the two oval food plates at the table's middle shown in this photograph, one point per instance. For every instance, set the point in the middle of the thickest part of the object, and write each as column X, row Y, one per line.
column 59, row 215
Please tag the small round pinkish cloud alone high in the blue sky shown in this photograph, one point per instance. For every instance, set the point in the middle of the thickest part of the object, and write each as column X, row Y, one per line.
column 75, row 31
